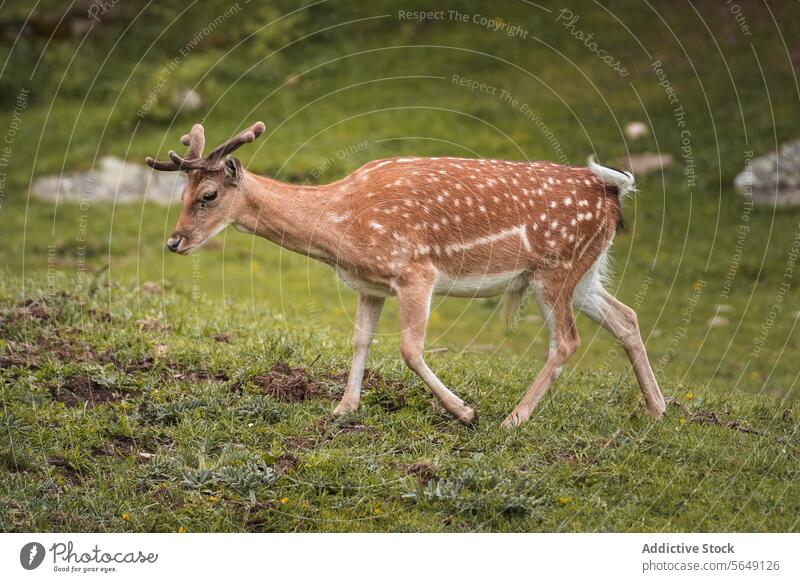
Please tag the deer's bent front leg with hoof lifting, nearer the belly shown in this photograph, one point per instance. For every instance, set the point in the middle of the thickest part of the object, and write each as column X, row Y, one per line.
column 415, row 300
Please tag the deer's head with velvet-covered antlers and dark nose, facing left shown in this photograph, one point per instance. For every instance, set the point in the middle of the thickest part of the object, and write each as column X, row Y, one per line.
column 212, row 197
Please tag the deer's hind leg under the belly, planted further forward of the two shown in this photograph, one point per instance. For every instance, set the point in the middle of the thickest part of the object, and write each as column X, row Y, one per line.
column 564, row 341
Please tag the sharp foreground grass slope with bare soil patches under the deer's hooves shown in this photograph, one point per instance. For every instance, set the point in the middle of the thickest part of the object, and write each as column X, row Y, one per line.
column 185, row 435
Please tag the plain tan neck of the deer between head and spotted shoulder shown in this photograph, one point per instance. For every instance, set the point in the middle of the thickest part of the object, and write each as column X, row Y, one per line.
column 285, row 214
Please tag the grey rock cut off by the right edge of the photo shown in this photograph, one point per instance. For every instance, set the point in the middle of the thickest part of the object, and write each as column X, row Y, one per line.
column 773, row 178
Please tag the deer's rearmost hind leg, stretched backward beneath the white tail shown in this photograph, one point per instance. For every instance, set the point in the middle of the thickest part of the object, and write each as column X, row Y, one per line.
column 607, row 311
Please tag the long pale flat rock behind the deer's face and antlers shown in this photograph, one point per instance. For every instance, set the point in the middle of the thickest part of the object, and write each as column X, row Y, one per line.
column 113, row 179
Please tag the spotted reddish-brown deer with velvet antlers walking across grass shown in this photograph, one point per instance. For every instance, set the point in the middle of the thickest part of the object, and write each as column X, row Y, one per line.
column 415, row 227
